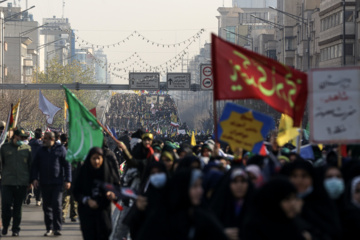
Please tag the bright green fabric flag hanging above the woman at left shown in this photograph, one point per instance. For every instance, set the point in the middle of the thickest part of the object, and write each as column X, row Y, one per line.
column 84, row 131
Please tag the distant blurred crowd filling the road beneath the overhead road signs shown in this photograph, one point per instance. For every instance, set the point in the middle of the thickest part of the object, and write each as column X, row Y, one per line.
column 148, row 111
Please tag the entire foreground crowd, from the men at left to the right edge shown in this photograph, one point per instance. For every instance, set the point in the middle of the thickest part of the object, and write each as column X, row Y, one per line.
column 167, row 190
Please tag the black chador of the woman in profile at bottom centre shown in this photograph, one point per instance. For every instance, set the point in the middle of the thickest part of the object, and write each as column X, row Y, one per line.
column 178, row 219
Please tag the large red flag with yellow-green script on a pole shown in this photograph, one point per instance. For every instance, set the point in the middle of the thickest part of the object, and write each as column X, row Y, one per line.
column 243, row 74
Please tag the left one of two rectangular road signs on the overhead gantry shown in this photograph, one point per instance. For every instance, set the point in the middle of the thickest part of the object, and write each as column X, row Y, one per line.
column 144, row 81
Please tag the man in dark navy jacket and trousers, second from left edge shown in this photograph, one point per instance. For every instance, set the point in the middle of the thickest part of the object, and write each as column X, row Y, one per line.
column 52, row 170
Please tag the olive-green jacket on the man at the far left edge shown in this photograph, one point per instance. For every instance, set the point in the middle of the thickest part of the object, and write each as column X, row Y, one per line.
column 16, row 164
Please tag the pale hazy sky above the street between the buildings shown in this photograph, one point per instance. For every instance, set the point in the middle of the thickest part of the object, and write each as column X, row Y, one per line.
column 109, row 21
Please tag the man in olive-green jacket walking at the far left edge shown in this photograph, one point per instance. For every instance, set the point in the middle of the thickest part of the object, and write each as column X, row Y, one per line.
column 16, row 163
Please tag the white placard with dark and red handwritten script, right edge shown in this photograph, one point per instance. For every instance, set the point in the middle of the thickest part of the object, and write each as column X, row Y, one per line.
column 334, row 96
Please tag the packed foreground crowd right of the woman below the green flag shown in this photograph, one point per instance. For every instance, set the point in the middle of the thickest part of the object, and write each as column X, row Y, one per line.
column 199, row 192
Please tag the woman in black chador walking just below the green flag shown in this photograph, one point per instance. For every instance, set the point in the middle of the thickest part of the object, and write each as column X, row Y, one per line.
column 94, row 202
